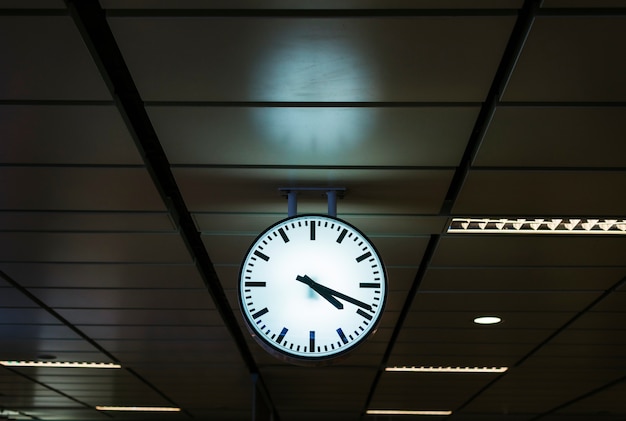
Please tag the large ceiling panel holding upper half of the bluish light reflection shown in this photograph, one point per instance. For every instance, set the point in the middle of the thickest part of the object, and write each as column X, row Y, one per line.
column 313, row 59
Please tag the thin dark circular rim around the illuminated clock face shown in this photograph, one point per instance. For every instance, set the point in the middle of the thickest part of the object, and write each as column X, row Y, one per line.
column 339, row 354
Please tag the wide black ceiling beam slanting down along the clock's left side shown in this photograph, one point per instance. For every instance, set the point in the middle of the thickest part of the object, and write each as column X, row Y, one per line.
column 91, row 21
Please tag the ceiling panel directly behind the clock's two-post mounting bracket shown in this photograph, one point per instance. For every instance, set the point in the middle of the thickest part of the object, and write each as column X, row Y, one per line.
column 257, row 190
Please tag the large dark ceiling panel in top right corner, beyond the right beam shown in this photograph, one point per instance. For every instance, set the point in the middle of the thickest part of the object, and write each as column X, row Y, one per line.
column 571, row 58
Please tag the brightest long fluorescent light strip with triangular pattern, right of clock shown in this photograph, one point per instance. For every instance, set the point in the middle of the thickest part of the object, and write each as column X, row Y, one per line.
column 538, row 226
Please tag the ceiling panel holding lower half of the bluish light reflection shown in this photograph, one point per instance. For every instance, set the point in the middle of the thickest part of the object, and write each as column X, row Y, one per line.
column 314, row 135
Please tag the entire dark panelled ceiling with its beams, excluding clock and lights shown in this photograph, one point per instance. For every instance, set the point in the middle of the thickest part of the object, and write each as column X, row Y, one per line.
column 143, row 146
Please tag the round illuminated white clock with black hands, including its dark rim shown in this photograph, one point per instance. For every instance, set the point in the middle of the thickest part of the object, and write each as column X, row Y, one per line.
column 311, row 288
